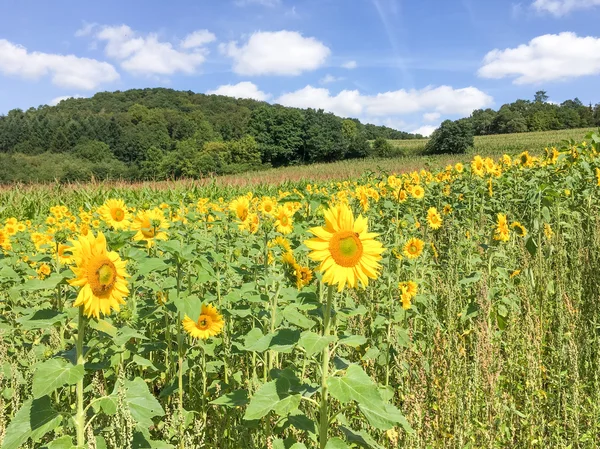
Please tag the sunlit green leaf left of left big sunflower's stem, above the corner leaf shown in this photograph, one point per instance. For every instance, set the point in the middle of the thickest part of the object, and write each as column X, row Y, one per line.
column 53, row 374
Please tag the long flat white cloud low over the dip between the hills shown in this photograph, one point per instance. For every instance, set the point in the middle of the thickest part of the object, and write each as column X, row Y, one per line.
column 441, row 100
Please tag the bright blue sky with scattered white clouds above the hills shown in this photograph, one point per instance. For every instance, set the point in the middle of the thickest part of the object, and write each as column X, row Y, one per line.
column 405, row 63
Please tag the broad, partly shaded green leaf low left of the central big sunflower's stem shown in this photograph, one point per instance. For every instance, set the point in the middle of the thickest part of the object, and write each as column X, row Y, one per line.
column 274, row 396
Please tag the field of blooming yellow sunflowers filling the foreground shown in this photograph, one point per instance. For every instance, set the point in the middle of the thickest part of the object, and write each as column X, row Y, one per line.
column 450, row 309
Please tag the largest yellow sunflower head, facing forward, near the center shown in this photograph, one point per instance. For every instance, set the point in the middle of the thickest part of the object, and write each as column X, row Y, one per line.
column 347, row 251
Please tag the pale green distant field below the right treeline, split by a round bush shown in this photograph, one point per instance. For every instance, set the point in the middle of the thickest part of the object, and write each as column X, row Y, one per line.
column 504, row 143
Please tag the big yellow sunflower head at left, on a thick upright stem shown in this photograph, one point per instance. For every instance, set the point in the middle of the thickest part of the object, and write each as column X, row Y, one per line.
column 100, row 274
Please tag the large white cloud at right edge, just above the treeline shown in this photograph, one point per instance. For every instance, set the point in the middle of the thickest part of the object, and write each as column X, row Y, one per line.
column 551, row 57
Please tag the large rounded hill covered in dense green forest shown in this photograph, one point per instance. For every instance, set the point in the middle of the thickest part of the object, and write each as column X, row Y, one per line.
column 163, row 133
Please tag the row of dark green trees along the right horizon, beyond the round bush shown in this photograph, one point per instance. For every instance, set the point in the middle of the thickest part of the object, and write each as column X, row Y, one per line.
column 537, row 115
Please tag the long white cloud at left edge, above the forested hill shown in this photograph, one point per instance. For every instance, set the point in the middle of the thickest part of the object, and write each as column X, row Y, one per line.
column 67, row 71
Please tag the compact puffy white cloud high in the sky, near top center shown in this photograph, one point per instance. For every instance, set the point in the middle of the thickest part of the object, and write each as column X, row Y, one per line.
column 276, row 53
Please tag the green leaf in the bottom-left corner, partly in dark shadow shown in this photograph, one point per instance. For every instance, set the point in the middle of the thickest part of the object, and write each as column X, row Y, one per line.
column 35, row 418
